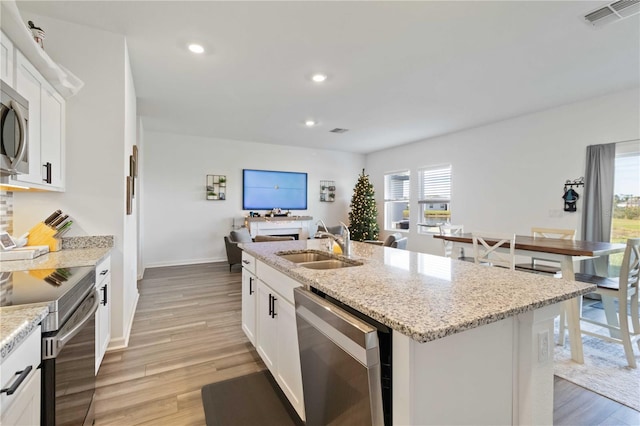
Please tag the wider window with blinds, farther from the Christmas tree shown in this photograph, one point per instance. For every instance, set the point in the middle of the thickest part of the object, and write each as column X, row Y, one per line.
column 435, row 198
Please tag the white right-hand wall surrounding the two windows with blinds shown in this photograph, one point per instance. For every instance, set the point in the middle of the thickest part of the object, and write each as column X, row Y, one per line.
column 509, row 176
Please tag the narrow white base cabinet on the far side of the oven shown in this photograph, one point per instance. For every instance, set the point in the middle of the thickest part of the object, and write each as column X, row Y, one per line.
column 103, row 314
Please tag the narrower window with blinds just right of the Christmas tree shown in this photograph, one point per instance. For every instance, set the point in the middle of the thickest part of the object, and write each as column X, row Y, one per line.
column 396, row 200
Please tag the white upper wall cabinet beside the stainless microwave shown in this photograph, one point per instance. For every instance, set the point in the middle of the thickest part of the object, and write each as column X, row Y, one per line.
column 45, row 128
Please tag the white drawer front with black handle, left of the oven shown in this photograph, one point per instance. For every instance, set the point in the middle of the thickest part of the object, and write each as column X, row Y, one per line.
column 25, row 355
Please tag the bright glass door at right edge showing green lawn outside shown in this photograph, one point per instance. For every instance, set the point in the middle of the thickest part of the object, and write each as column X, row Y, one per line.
column 626, row 205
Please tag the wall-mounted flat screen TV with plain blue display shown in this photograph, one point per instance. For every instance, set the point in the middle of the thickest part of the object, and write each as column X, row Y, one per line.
column 268, row 189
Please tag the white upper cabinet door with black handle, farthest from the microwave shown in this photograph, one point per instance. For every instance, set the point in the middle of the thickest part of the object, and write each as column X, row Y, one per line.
column 52, row 141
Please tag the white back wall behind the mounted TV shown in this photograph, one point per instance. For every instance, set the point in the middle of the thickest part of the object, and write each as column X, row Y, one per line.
column 182, row 227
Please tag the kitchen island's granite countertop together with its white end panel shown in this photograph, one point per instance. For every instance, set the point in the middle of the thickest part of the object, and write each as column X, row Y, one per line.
column 471, row 344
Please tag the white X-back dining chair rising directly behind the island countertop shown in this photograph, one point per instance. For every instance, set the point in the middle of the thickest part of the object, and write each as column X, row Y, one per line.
column 486, row 245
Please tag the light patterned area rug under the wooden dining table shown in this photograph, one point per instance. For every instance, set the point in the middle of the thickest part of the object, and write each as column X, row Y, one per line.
column 605, row 370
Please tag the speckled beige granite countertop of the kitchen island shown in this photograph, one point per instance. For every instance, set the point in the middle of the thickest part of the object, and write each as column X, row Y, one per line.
column 422, row 296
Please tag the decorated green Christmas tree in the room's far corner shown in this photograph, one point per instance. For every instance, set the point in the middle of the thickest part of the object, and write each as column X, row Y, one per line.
column 363, row 217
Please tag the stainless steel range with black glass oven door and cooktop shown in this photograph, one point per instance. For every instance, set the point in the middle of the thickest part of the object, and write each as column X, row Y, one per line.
column 68, row 338
